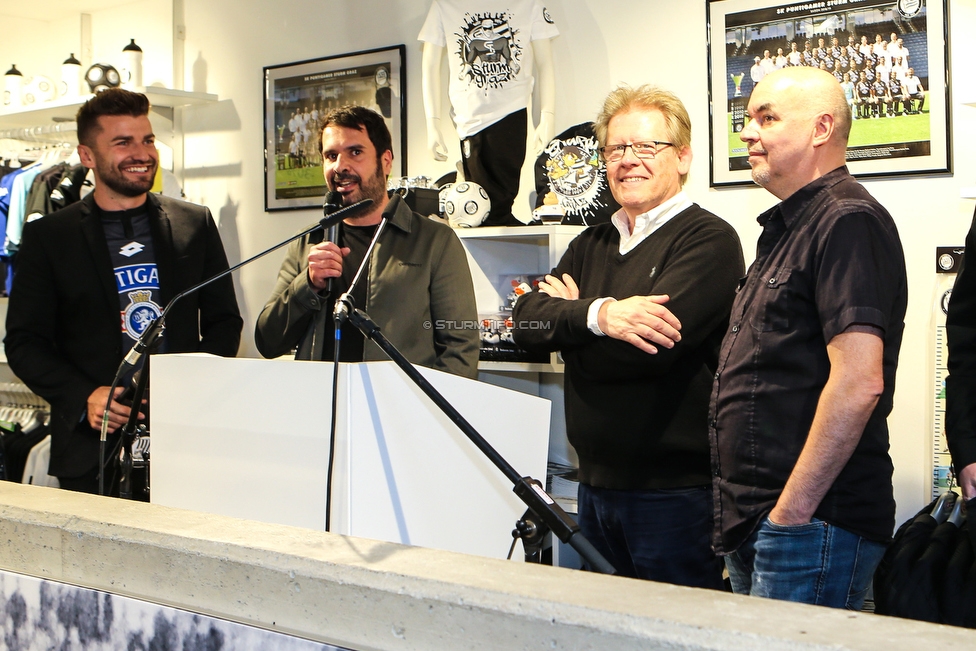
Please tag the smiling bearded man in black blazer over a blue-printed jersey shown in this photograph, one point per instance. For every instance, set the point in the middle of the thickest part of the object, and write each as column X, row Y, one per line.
column 119, row 252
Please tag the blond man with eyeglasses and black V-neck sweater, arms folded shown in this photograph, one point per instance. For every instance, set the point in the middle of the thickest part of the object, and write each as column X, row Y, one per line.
column 638, row 307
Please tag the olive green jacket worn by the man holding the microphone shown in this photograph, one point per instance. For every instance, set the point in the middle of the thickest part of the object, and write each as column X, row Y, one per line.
column 420, row 295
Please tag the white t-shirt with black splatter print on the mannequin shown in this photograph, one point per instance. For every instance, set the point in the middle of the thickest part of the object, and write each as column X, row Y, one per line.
column 489, row 54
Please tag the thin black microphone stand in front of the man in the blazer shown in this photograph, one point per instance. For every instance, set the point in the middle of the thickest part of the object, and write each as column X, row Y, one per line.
column 150, row 335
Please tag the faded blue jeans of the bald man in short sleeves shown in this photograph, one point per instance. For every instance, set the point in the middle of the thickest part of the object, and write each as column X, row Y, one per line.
column 814, row 563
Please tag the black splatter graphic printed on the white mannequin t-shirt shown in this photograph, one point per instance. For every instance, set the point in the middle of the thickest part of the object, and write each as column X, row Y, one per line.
column 490, row 54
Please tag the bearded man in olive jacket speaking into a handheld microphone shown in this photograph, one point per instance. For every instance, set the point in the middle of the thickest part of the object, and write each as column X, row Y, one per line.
column 417, row 287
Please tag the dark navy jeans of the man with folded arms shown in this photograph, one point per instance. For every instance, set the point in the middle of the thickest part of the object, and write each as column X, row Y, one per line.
column 658, row 535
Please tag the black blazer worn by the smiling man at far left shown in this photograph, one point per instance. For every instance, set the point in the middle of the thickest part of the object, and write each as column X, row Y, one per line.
column 63, row 324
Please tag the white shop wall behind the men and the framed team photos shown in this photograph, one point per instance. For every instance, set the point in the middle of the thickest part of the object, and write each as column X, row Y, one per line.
column 603, row 43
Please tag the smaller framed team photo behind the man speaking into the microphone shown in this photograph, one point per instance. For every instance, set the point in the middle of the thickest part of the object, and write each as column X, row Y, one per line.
column 298, row 96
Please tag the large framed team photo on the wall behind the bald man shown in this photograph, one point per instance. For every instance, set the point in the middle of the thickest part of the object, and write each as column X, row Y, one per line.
column 890, row 56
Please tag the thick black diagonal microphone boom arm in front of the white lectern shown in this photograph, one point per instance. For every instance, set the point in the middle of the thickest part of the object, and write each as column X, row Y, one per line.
column 543, row 512
